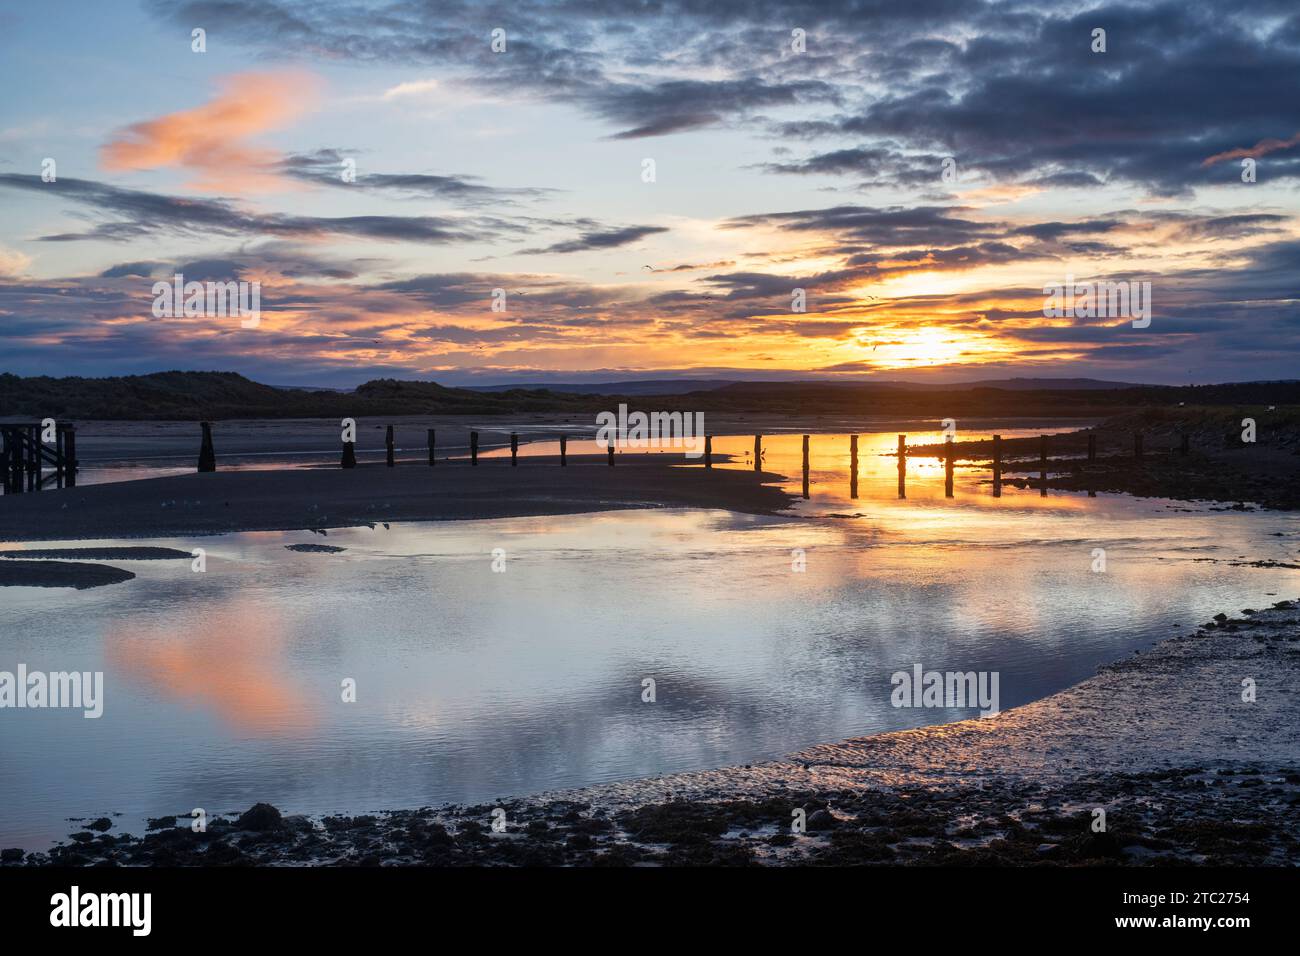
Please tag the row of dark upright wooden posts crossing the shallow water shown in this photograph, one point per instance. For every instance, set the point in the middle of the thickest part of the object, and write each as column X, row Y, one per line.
column 207, row 458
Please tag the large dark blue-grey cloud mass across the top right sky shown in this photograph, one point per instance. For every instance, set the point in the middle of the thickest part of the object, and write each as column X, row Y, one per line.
column 1012, row 90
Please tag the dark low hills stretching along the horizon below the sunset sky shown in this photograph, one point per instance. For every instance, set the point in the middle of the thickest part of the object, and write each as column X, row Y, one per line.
column 194, row 396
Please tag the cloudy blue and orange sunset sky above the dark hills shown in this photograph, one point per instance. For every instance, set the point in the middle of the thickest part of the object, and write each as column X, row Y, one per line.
column 478, row 193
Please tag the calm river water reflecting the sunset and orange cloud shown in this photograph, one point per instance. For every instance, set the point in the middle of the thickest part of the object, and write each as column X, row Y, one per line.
column 224, row 689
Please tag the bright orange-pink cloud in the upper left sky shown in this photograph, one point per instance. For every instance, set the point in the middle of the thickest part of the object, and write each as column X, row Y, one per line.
column 211, row 140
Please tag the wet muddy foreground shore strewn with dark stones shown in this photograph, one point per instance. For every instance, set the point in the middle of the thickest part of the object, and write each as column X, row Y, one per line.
column 1145, row 741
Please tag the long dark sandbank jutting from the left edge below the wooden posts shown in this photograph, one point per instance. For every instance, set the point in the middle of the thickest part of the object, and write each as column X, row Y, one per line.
column 311, row 499
